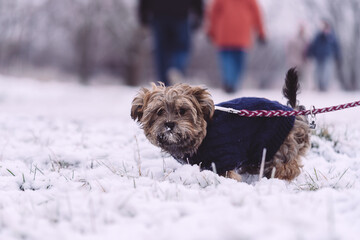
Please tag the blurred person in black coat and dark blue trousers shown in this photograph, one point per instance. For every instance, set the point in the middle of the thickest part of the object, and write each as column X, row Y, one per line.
column 171, row 22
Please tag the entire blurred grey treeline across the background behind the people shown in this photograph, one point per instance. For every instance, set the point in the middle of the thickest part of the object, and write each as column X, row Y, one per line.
column 90, row 37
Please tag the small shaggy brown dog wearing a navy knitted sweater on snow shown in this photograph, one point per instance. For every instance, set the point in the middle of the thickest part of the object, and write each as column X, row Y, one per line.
column 182, row 121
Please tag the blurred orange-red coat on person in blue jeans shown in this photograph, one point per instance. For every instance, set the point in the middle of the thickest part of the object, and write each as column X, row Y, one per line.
column 231, row 22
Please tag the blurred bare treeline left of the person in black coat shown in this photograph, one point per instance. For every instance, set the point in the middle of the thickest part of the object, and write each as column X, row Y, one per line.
column 76, row 36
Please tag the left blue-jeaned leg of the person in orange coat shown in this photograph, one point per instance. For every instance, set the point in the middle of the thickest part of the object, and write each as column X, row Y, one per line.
column 228, row 67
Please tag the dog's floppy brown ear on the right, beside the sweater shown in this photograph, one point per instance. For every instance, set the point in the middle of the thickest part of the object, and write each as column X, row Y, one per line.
column 205, row 101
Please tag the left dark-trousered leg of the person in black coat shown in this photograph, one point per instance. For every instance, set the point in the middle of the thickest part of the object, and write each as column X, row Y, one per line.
column 161, row 54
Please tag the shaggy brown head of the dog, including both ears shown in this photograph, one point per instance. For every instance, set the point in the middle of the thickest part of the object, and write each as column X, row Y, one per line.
column 174, row 118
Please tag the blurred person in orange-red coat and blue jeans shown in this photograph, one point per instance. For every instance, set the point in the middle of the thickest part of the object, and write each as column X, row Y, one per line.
column 231, row 27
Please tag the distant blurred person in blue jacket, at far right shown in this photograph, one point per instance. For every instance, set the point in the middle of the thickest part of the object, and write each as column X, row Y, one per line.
column 324, row 48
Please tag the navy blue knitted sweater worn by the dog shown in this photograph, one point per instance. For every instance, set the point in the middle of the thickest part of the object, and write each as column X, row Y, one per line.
column 233, row 141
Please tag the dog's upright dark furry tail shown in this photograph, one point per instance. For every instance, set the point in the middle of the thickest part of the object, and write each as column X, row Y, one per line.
column 291, row 87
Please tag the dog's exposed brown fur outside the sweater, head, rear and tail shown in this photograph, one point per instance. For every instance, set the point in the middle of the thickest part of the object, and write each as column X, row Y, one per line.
column 175, row 119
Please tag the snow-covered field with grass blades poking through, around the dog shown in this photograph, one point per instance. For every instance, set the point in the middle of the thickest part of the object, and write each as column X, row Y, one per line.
column 73, row 165
